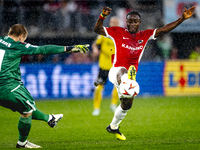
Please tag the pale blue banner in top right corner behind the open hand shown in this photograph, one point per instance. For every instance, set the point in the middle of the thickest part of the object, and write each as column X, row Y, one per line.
column 173, row 10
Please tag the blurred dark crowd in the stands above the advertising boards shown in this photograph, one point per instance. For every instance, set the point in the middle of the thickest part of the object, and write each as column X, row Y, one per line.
column 76, row 18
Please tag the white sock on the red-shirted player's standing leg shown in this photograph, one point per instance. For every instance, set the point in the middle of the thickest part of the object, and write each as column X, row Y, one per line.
column 118, row 117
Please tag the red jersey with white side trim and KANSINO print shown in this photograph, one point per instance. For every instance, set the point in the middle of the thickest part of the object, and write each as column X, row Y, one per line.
column 128, row 47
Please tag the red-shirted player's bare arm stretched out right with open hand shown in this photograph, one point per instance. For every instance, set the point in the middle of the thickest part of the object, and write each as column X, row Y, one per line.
column 187, row 13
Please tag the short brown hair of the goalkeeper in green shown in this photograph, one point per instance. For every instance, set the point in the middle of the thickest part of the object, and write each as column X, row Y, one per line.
column 17, row 30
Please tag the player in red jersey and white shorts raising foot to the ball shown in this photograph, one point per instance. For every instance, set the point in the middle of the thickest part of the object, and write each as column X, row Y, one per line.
column 130, row 44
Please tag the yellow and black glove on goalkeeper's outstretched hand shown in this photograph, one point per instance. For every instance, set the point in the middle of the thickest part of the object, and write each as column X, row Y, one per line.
column 77, row 48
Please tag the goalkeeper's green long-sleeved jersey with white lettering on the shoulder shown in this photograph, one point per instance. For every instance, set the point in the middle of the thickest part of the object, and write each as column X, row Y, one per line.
column 10, row 56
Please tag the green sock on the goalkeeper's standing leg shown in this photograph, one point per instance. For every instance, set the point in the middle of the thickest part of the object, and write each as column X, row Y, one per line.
column 24, row 127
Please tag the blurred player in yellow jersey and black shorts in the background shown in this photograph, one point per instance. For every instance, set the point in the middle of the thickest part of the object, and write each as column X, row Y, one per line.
column 107, row 49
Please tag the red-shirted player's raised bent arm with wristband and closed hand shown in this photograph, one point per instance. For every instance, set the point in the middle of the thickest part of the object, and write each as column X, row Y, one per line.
column 98, row 28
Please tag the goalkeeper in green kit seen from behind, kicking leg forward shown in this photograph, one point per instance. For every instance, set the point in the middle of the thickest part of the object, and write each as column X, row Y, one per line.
column 13, row 95
